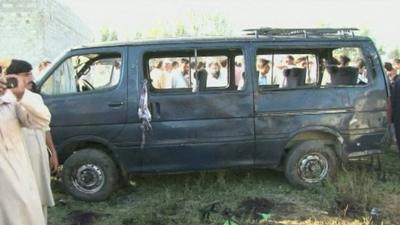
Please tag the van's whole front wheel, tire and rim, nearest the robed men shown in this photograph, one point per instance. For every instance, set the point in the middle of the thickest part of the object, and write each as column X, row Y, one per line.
column 89, row 175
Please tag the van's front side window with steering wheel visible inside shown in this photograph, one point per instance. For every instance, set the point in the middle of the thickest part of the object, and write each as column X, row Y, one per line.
column 84, row 73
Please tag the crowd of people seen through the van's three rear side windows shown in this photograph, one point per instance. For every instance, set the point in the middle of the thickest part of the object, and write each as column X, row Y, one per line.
column 178, row 73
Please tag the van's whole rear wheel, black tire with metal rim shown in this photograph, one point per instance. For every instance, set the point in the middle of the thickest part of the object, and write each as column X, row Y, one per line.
column 309, row 163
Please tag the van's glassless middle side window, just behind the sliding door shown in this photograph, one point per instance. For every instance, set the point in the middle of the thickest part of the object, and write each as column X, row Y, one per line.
column 286, row 70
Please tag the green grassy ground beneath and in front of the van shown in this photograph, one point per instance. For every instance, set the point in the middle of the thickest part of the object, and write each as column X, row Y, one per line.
column 181, row 199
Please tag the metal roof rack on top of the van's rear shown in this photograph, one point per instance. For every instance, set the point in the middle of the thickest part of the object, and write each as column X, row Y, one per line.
column 306, row 32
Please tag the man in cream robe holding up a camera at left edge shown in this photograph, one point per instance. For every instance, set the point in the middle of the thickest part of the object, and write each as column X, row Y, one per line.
column 20, row 202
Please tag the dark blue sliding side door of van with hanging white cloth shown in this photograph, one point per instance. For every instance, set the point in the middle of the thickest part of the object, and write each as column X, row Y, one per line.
column 211, row 127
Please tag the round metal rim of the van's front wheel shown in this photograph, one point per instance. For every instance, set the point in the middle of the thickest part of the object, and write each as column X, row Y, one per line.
column 88, row 178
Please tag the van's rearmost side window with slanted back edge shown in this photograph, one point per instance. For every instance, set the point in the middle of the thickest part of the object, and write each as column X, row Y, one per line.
column 345, row 66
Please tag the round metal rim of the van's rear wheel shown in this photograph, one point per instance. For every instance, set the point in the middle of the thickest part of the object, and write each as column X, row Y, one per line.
column 313, row 168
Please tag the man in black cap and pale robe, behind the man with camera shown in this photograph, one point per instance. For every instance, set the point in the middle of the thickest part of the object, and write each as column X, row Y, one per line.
column 35, row 141
